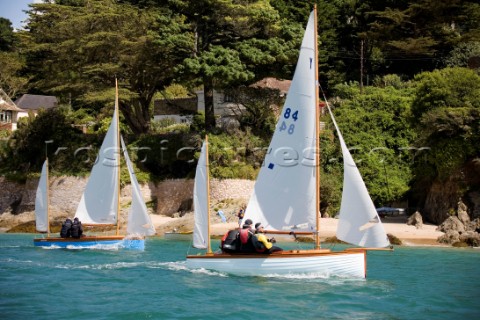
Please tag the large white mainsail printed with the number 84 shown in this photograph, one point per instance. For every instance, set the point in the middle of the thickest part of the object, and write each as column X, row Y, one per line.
column 284, row 194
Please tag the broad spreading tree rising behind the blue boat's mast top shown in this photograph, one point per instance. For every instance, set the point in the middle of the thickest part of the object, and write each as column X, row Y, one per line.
column 77, row 48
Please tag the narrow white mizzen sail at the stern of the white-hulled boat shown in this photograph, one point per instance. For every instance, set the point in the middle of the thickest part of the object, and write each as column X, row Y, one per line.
column 200, row 202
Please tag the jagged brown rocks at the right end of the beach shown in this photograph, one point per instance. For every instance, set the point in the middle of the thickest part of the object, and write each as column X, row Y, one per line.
column 459, row 229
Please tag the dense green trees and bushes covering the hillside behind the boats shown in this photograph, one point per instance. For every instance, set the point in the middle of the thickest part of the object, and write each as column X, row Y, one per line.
column 394, row 72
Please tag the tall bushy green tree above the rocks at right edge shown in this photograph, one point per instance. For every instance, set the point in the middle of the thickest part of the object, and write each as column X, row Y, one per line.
column 446, row 111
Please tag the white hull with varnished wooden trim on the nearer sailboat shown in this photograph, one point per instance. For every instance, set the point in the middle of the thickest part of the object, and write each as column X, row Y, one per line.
column 348, row 264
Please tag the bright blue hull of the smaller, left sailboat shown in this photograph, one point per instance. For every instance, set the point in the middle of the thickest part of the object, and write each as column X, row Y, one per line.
column 91, row 242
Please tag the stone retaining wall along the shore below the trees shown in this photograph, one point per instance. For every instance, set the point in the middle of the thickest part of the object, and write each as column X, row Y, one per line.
column 65, row 194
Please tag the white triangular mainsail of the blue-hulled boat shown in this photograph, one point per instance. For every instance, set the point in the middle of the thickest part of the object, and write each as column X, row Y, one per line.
column 100, row 199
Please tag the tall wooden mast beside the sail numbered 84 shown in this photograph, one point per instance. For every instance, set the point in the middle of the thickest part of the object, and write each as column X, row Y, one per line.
column 317, row 135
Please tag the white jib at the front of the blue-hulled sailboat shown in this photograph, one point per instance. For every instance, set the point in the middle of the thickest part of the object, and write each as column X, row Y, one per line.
column 139, row 222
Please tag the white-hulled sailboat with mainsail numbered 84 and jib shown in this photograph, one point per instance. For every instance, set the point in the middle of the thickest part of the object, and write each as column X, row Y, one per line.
column 286, row 193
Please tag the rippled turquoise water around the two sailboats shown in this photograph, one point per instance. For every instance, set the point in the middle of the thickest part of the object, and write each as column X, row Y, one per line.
column 409, row 283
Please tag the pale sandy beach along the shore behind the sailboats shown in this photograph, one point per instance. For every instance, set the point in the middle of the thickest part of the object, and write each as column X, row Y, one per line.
column 396, row 226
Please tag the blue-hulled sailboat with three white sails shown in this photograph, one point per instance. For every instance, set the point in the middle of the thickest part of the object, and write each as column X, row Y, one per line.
column 99, row 205
